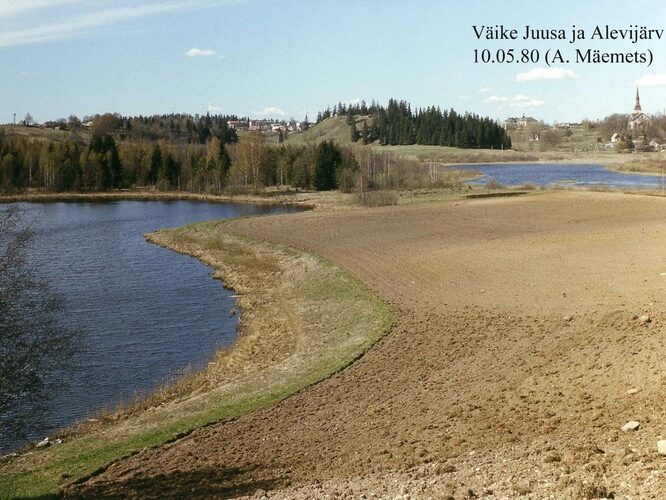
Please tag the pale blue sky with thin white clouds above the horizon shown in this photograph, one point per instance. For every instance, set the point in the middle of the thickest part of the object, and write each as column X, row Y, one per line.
column 288, row 58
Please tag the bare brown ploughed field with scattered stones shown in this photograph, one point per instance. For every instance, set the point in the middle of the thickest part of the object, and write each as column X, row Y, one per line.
column 517, row 336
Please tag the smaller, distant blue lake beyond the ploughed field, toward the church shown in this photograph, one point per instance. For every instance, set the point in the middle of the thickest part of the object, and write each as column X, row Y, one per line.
column 512, row 174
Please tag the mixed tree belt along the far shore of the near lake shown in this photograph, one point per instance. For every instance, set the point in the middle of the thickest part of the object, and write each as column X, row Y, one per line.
column 108, row 162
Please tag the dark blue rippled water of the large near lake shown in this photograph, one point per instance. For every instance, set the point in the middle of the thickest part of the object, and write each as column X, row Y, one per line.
column 149, row 313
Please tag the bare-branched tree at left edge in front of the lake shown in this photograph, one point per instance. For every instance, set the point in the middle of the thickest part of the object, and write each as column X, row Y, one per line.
column 35, row 348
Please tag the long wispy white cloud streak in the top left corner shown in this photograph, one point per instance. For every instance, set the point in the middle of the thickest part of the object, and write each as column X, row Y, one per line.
column 34, row 21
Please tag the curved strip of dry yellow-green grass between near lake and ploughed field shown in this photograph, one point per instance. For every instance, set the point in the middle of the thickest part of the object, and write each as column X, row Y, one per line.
column 285, row 296
